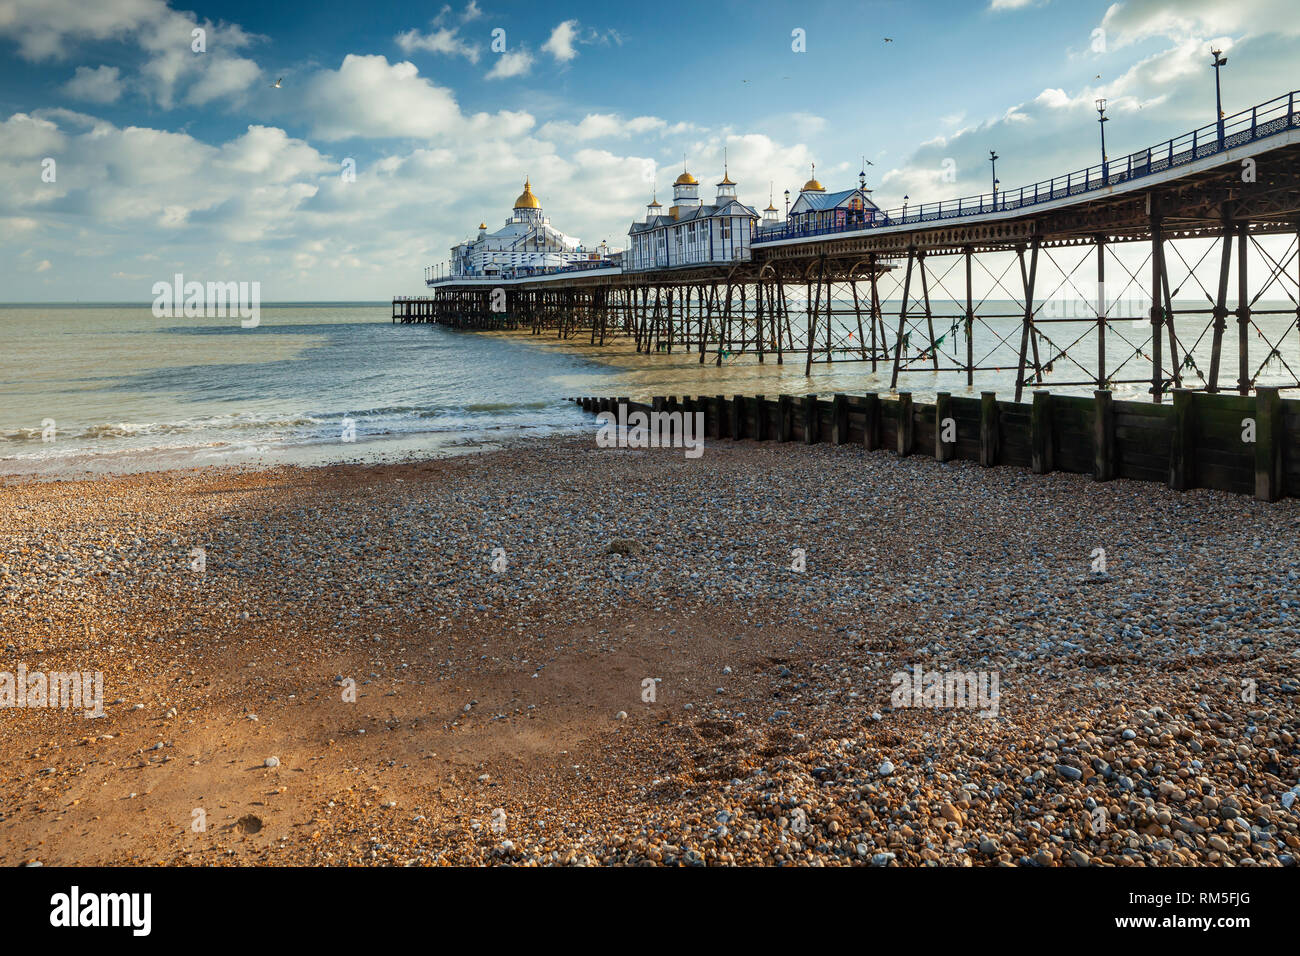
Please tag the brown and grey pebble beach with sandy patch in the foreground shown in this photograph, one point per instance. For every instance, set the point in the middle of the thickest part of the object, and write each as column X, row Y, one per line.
column 562, row 655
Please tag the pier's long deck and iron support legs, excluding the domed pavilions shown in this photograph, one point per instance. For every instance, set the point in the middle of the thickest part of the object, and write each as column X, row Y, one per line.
column 1197, row 211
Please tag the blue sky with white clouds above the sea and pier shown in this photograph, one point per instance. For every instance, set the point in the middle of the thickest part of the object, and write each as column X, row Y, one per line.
column 331, row 152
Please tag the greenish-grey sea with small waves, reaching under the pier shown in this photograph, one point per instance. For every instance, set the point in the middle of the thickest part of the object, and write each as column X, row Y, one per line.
column 114, row 390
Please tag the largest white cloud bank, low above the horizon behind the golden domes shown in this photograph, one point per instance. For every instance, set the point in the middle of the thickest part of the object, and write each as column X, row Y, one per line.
column 279, row 211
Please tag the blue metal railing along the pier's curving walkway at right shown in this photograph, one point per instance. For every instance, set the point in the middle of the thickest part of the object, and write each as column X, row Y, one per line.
column 1258, row 123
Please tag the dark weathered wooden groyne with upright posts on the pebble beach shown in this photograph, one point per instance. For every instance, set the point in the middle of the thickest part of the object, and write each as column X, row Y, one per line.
column 1247, row 445
